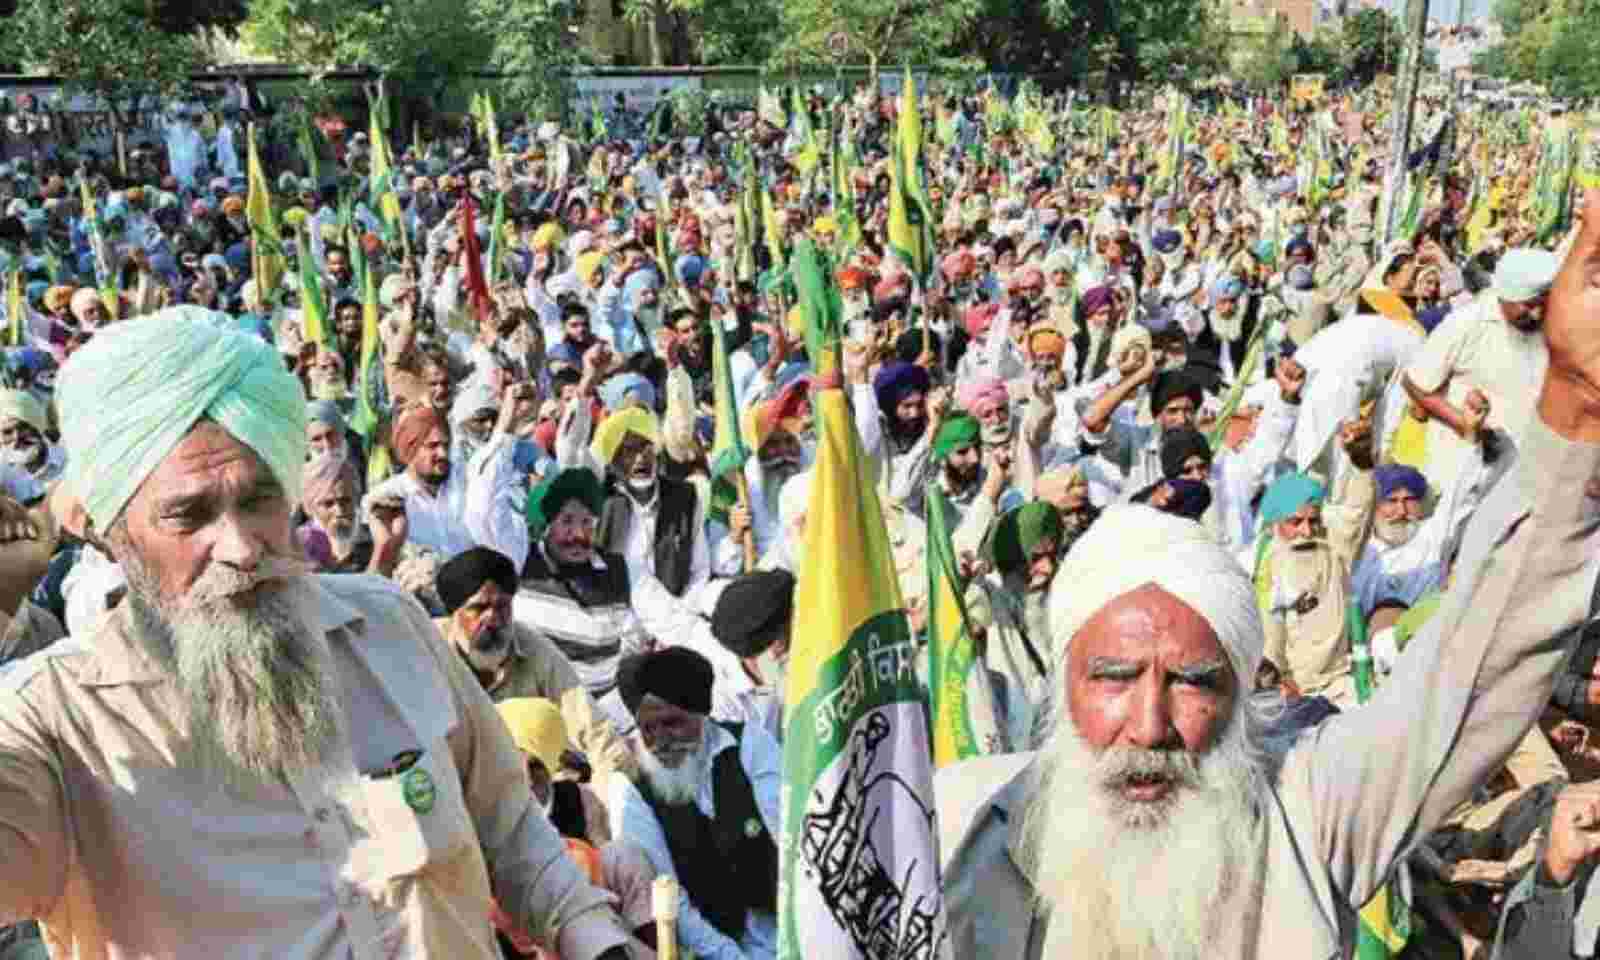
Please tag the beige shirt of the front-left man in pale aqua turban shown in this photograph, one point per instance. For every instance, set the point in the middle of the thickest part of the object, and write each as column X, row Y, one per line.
column 122, row 850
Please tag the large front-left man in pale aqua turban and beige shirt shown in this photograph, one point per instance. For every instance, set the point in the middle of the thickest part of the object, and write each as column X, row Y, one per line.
column 305, row 769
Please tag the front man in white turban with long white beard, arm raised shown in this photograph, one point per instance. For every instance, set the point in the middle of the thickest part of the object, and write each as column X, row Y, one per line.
column 1159, row 822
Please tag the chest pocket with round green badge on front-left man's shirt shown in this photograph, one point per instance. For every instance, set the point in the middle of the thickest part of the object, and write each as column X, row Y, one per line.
column 418, row 818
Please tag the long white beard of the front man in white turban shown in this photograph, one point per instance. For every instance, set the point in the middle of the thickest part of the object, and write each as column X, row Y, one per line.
column 1129, row 881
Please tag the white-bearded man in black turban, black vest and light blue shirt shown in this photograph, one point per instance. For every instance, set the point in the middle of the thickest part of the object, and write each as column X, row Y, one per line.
column 705, row 809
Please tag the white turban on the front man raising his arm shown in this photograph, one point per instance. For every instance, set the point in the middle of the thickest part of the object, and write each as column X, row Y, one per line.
column 1130, row 546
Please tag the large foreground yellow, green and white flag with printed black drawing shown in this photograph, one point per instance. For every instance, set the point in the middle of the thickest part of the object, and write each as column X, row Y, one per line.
column 860, row 866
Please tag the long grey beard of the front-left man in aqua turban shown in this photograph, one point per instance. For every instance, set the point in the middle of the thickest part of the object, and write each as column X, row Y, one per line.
column 254, row 678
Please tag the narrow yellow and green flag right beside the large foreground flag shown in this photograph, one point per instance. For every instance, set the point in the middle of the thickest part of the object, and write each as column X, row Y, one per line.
column 961, row 700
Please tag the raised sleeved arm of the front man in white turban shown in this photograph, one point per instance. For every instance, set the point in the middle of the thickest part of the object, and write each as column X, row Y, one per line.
column 1476, row 678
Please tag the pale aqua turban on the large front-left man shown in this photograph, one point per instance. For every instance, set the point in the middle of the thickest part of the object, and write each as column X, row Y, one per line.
column 135, row 391
